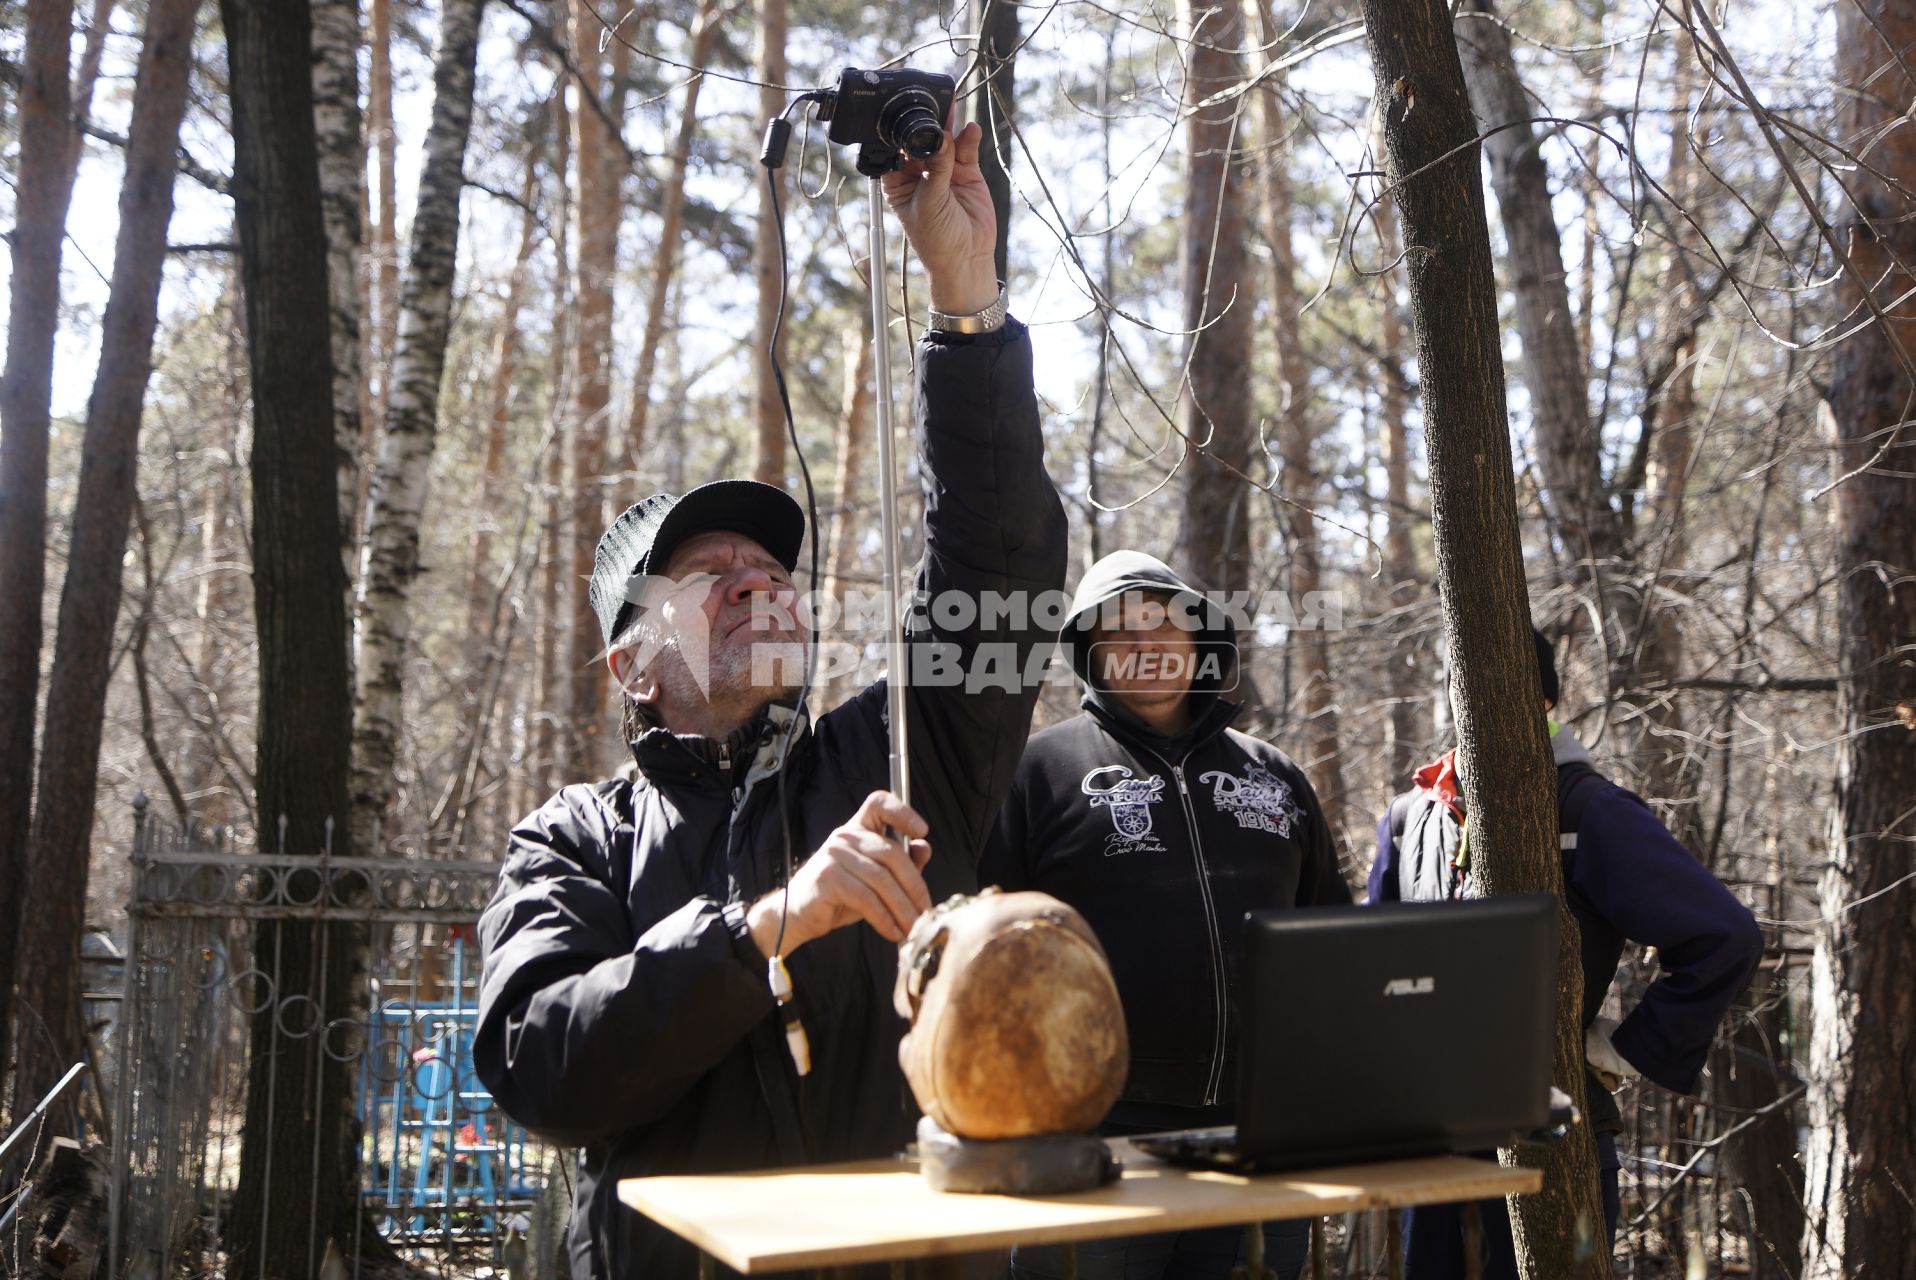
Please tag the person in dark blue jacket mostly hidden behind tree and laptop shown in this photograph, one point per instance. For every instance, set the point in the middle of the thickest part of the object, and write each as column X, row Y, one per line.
column 1628, row 879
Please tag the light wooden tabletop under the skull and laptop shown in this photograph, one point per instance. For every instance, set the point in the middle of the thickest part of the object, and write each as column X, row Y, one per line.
column 882, row 1212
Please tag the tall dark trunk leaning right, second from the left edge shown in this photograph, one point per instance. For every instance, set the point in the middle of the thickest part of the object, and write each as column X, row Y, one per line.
column 55, row 882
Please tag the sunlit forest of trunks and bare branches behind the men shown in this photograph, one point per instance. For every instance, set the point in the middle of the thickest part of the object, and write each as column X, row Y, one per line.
column 553, row 281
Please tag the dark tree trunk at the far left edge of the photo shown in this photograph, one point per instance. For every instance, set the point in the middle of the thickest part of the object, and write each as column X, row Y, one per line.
column 43, row 183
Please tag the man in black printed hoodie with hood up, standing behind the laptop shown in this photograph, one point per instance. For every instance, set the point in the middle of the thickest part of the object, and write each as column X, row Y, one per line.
column 1164, row 827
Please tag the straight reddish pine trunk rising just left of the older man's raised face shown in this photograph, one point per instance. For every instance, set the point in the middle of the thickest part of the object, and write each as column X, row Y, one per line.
column 597, row 248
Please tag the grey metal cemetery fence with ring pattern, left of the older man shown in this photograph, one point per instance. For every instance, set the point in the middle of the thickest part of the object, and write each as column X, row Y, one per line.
column 442, row 1170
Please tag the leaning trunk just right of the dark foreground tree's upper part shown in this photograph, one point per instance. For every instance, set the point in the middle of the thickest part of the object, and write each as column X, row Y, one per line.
column 1555, row 373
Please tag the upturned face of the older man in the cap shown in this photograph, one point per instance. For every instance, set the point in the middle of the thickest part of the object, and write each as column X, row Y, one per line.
column 716, row 628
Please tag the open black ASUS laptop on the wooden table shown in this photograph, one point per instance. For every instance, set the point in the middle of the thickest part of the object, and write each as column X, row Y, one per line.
column 1386, row 1032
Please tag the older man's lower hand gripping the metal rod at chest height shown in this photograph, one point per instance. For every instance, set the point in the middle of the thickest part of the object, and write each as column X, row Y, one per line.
column 857, row 875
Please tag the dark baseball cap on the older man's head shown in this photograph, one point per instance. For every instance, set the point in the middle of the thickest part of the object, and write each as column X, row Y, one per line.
column 647, row 536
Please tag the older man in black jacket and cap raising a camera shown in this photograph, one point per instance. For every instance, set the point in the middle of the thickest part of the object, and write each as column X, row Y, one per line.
column 627, row 1005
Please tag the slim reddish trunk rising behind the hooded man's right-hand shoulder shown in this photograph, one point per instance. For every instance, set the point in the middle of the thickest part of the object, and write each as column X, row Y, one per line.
column 1296, row 446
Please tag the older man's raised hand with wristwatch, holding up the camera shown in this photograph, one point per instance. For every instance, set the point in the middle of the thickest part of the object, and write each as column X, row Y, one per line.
column 946, row 210
